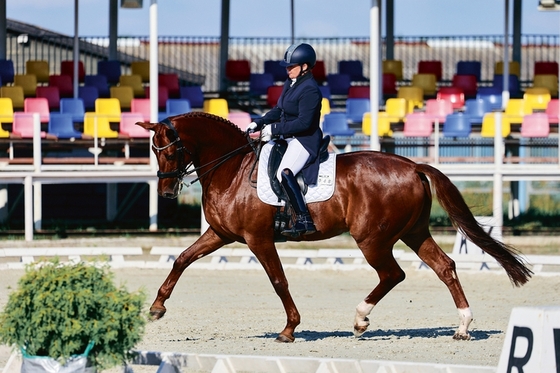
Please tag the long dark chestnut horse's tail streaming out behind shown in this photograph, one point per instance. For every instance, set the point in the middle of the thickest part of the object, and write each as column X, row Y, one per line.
column 463, row 220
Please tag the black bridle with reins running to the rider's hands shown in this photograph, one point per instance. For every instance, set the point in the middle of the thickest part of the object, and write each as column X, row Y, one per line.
column 181, row 171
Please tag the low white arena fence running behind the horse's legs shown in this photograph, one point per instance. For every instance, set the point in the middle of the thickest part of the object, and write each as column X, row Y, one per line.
column 162, row 257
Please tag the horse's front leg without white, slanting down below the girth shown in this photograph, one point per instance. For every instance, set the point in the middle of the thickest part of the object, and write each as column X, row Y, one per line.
column 269, row 259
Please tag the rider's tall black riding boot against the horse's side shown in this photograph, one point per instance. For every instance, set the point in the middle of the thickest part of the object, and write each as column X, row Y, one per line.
column 304, row 223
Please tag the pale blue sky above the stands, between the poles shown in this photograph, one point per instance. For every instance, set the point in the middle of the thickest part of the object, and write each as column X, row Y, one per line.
column 271, row 18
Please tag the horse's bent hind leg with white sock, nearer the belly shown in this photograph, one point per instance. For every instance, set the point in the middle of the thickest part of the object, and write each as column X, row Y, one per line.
column 390, row 274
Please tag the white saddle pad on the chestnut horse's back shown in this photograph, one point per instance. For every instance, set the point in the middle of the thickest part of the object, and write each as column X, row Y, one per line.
column 316, row 193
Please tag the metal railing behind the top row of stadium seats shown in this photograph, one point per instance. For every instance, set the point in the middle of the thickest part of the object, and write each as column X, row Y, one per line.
column 196, row 59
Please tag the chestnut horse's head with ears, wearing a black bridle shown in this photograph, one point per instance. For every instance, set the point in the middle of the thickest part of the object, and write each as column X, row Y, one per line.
column 173, row 158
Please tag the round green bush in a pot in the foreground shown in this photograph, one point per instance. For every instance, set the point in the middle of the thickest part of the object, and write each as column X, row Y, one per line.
column 59, row 308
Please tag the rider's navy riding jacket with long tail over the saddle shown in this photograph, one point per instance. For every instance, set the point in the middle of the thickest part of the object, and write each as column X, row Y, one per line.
column 297, row 114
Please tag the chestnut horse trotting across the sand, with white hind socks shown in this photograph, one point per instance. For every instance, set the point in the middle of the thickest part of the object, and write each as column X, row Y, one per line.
column 379, row 199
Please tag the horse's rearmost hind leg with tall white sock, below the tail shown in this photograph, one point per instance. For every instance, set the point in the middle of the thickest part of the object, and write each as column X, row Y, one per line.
column 431, row 254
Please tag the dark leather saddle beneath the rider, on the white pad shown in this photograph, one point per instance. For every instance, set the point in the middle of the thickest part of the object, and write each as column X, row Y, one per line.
column 276, row 155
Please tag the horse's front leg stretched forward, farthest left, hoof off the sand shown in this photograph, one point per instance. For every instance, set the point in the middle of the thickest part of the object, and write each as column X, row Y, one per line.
column 206, row 244
